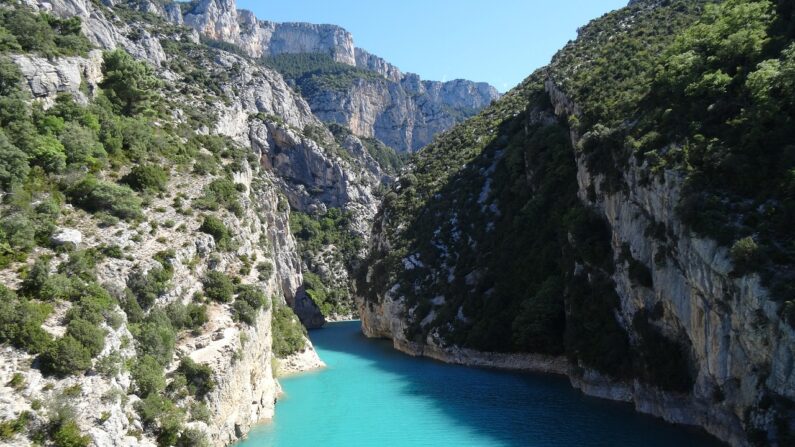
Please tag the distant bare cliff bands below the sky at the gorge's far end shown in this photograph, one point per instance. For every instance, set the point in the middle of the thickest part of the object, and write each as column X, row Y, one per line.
column 401, row 110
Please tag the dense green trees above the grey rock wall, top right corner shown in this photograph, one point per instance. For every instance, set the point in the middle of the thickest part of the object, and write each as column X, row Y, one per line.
column 723, row 91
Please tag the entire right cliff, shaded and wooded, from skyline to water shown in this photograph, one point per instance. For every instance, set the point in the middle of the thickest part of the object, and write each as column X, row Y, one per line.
column 613, row 219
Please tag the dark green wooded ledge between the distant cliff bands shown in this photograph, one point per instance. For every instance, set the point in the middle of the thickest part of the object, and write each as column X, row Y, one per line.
column 314, row 73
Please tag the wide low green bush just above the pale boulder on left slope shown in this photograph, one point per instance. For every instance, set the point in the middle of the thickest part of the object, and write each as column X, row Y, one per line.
column 94, row 195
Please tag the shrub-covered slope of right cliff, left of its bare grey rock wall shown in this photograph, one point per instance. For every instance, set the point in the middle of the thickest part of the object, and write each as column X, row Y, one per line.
column 498, row 196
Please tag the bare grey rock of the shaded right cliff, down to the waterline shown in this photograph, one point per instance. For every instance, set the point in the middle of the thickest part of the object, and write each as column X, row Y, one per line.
column 740, row 349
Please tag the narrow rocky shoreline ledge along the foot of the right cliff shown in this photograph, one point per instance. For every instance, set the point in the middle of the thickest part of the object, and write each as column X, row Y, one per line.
column 673, row 408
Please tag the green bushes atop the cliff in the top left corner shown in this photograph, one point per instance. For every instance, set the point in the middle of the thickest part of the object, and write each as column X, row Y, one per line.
column 24, row 30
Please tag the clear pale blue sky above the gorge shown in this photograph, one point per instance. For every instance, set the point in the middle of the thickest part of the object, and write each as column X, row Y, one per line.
column 496, row 41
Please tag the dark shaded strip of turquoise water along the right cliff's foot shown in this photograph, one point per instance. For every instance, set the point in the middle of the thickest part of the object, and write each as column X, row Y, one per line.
column 509, row 409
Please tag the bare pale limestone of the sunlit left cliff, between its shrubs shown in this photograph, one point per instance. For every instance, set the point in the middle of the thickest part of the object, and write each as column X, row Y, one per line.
column 290, row 161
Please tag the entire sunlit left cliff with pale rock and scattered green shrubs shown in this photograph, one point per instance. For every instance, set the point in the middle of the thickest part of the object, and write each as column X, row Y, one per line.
column 146, row 247
